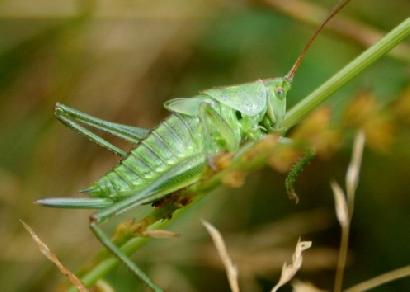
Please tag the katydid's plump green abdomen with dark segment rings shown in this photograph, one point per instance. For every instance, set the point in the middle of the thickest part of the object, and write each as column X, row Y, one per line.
column 177, row 138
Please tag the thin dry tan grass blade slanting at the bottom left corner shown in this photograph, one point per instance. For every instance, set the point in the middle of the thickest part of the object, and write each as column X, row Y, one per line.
column 46, row 251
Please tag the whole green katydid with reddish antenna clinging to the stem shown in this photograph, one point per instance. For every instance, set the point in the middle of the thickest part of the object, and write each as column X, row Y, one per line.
column 176, row 153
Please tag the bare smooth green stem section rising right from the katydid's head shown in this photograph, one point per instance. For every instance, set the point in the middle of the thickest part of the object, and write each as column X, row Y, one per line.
column 313, row 100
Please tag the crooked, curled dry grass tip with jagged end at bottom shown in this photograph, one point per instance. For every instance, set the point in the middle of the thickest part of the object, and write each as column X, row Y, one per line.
column 290, row 270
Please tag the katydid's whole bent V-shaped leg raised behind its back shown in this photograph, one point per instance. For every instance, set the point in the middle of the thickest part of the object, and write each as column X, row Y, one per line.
column 73, row 119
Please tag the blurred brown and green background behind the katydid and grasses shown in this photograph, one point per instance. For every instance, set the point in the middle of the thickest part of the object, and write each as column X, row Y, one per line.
column 120, row 60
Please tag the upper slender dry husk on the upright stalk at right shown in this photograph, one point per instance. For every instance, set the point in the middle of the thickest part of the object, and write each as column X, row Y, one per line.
column 352, row 174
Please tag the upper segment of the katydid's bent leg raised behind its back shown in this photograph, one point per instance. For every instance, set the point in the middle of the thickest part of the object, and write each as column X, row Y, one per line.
column 131, row 134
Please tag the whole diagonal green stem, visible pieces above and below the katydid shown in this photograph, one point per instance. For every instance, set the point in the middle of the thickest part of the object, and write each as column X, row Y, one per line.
column 255, row 156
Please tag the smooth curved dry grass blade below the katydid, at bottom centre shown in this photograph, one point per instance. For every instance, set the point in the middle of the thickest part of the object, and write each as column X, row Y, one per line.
column 231, row 271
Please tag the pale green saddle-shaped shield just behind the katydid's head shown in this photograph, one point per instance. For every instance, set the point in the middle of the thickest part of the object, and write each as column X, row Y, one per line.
column 250, row 98
